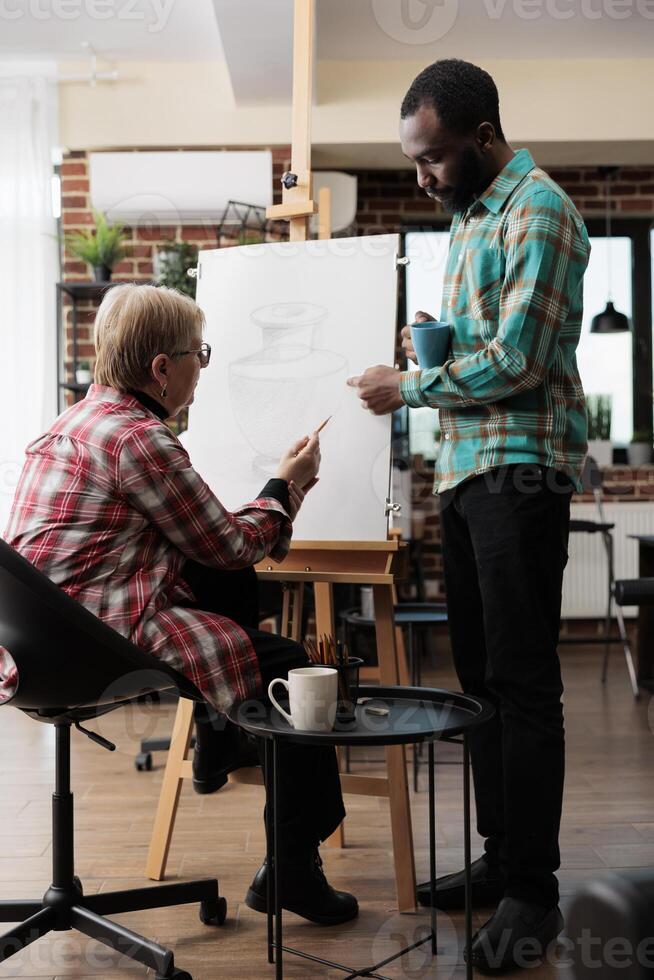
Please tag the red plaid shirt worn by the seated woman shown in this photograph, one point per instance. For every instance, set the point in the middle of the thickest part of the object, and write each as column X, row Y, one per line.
column 109, row 507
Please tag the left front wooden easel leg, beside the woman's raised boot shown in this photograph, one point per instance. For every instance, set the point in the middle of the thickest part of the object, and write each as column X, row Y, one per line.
column 171, row 787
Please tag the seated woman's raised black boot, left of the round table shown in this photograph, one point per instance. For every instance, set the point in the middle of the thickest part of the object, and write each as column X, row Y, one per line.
column 220, row 748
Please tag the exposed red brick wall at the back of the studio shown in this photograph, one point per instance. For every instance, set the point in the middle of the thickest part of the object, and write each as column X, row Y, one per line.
column 387, row 200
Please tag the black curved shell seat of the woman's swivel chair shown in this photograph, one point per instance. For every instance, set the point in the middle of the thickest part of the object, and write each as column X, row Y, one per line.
column 65, row 656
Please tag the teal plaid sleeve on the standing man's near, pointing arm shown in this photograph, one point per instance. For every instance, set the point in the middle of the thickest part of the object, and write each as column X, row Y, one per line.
column 546, row 258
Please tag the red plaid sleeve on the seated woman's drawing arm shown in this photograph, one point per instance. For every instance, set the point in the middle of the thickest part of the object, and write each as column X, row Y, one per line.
column 156, row 477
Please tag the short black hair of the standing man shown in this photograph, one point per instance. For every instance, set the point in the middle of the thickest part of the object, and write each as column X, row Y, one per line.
column 462, row 94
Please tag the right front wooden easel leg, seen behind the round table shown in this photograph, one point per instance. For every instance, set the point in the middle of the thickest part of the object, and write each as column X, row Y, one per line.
column 398, row 787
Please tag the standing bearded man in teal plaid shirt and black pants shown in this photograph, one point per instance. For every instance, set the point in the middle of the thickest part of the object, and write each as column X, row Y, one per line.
column 513, row 427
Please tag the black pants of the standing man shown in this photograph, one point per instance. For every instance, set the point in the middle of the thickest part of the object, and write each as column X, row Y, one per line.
column 505, row 537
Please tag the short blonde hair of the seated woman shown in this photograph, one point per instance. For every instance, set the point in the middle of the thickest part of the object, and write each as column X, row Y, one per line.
column 135, row 323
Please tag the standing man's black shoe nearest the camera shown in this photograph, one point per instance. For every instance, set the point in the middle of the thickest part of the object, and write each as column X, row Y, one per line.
column 516, row 936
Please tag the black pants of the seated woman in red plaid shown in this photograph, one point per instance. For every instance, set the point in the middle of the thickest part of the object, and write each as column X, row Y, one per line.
column 311, row 803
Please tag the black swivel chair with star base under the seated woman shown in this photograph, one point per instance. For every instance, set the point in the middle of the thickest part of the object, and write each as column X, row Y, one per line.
column 72, row 668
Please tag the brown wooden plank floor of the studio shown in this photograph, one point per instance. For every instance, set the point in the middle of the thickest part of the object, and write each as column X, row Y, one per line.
column 608, row 822
